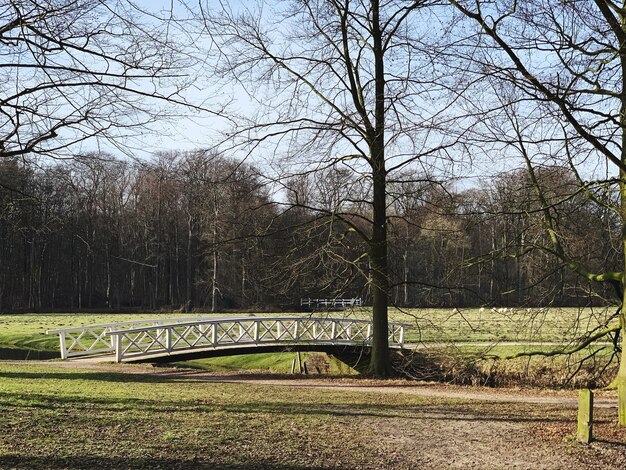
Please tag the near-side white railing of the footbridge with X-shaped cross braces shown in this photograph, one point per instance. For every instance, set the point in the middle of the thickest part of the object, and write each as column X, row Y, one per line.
column 232, row 332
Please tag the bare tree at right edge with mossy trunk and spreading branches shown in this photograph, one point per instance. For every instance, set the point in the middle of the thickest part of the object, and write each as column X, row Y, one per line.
column 567, row 62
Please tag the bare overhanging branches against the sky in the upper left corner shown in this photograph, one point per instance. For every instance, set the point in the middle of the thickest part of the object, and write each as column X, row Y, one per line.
column 71, row 70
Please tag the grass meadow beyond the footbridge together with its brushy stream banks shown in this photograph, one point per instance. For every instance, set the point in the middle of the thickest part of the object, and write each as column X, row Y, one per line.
column 461, row 339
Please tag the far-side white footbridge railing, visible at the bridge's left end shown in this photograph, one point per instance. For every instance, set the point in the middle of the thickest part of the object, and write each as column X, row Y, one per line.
column 94, row 339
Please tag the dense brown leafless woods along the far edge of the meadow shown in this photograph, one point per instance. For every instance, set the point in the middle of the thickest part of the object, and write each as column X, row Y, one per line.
column 195, row 230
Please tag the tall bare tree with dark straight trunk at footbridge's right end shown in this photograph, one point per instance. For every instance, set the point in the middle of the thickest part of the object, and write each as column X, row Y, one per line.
column 346, row 84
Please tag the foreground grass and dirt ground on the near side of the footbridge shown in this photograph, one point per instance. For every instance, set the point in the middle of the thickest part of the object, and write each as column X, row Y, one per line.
column 131, row 417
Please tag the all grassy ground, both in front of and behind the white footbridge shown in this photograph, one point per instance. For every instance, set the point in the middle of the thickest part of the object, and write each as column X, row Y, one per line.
column 63, row 415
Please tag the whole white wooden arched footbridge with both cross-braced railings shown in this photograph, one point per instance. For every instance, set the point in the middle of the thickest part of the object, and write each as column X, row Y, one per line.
column 182, row 338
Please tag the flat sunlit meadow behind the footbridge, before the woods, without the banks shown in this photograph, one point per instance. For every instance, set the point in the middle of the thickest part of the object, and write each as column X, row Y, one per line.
column 426, row 325
